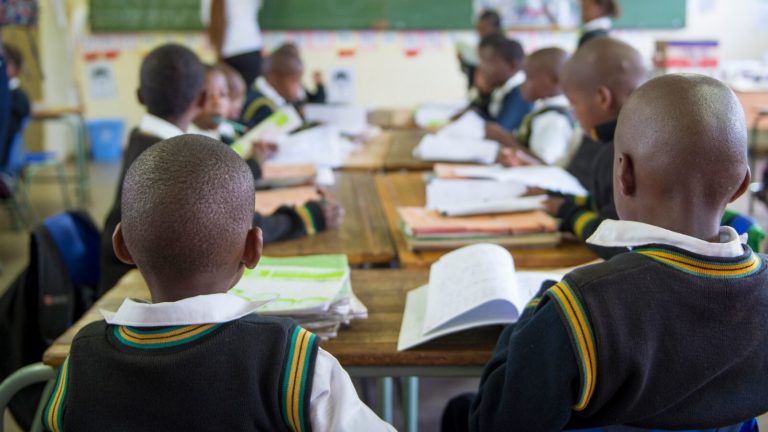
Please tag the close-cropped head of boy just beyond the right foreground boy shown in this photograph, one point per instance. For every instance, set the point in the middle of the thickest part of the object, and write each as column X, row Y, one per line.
column 605, row 62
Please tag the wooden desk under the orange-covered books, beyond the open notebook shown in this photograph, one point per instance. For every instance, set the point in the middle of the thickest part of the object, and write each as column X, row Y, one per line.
column 407, row 189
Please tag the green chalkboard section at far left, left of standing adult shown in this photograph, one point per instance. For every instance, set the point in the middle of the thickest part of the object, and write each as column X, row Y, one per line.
column 144, row 15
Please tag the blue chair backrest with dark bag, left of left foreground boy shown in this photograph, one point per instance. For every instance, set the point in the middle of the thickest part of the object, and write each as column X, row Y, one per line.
column 78, row 242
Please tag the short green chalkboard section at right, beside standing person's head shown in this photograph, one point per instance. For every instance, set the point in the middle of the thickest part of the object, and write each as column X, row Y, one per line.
column 644, row 14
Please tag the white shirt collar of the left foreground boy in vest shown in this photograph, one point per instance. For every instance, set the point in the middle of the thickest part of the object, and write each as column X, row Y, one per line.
column 203, row 309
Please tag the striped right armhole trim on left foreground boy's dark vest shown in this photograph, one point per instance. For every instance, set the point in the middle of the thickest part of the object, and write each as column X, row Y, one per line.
column 294, row 391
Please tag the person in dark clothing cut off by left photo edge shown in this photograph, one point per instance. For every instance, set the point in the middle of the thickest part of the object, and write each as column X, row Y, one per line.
column 19, row 101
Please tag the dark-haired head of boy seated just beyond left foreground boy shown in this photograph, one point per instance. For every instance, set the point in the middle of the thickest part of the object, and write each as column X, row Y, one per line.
column 170, row 81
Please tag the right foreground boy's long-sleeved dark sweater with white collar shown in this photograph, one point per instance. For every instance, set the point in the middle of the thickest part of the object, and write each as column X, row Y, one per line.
column 662, row 337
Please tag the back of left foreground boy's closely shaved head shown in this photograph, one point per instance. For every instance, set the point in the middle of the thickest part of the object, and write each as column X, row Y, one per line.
column 187, row 206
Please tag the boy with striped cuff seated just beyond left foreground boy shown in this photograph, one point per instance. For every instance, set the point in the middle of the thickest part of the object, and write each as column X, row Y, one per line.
column 171, row 88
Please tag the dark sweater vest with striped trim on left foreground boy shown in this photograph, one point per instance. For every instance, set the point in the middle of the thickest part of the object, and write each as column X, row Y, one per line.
column 254, row 373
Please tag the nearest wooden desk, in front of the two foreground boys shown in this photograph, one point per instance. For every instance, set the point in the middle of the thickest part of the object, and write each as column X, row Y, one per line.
column 368, row 347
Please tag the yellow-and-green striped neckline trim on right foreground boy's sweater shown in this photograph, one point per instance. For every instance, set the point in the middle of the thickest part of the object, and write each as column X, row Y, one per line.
column 746, row 266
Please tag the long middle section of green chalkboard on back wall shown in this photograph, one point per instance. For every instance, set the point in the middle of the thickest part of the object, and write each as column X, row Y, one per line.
column 365, row 14
